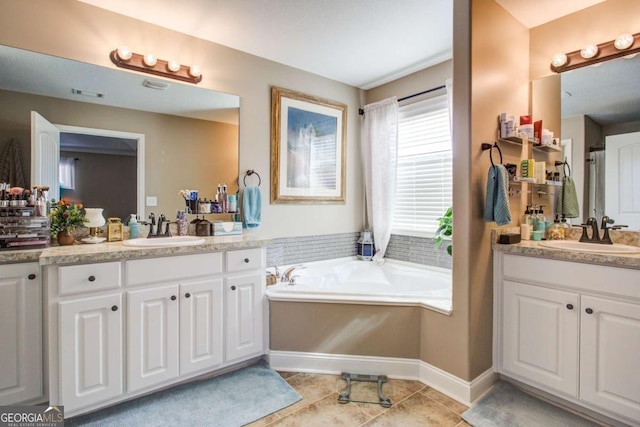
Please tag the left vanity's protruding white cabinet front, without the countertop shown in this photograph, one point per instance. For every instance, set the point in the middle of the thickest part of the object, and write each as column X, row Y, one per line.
column 121, row 329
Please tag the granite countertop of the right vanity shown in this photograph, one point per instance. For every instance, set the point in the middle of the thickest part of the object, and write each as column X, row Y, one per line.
column 533, row 248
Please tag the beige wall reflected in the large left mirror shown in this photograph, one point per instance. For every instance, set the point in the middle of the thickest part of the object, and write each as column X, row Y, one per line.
column 180, row 152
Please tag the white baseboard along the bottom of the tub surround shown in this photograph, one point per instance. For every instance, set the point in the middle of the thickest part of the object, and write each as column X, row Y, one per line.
column 410, row 369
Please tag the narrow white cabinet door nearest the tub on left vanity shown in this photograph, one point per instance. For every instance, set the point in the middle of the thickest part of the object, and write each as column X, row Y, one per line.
column 244, row 305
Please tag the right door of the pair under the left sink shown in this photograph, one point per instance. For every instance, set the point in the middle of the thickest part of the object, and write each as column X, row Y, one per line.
column 201, row 319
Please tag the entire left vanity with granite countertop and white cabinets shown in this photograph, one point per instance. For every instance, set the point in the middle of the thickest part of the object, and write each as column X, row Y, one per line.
column 119, row 322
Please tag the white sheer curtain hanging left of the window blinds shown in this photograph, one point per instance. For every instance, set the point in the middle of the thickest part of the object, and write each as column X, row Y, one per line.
column 379, row 149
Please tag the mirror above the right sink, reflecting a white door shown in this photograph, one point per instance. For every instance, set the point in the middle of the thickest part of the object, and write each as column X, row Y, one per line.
column 598, row 104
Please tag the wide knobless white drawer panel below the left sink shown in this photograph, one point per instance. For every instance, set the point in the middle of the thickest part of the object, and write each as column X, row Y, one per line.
column 154, row 270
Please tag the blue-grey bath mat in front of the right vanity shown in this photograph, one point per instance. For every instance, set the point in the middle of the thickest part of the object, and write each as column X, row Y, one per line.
column 505, row 405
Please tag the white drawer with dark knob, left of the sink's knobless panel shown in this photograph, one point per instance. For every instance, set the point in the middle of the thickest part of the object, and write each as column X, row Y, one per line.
column 89, row 277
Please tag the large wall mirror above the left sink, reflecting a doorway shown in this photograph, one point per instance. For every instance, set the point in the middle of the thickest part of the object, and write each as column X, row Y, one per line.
column 134, row 141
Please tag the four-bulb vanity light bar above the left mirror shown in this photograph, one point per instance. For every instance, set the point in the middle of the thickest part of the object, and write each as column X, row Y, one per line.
column 123, row 57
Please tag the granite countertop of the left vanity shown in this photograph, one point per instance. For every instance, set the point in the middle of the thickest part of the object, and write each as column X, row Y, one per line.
column 111, row 251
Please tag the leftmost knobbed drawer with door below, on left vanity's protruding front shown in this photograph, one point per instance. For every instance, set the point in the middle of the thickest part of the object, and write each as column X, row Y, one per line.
column 89, row 337
